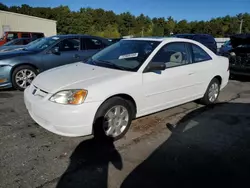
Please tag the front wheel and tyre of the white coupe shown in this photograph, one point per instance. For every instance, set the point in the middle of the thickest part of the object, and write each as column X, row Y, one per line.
column 113, row 118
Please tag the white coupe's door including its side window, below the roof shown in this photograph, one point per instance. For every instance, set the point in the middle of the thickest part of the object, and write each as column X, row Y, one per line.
column 173, row 86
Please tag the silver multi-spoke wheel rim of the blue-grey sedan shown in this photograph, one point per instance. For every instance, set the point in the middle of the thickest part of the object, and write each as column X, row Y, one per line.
column 24, row 78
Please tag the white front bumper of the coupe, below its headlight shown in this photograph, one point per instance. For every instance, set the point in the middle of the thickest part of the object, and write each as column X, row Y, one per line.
column 65, row 120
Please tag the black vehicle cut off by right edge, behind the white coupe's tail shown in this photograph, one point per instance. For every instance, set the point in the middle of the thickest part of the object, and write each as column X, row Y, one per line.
column 239, row 55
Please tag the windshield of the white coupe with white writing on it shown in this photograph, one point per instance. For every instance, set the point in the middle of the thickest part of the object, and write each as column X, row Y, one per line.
column 124, row 55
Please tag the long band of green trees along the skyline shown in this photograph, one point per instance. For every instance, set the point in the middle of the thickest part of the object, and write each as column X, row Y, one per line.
column 108, row 24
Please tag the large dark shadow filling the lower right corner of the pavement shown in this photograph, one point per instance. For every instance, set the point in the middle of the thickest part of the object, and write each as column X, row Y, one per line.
column 209, row 147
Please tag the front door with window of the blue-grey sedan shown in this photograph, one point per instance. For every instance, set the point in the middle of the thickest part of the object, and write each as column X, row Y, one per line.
column 62, row 53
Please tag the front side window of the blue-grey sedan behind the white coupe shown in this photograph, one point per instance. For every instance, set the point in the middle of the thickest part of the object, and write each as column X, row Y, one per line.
column 67, row 45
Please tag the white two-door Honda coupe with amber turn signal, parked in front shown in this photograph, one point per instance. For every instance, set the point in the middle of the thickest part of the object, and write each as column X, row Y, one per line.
column 129, row 79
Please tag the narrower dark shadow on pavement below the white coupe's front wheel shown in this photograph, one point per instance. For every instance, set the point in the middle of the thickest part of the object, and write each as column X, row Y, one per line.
column 89, row 165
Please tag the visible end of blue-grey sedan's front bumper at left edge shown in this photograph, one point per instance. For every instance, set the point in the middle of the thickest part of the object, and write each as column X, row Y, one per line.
column 5, row 76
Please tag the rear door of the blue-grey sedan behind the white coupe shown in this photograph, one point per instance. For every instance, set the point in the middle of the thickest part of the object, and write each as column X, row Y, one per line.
column 90, row 46
